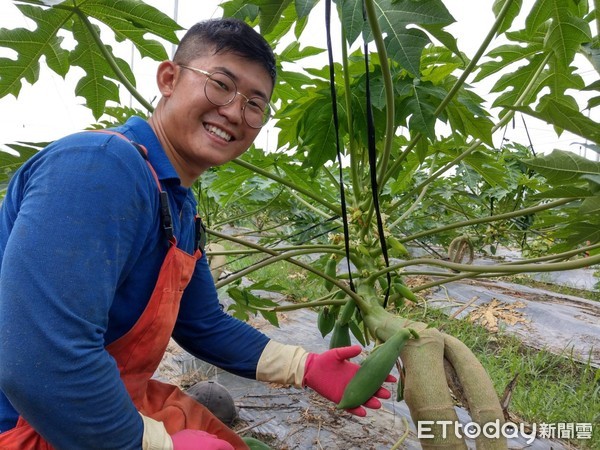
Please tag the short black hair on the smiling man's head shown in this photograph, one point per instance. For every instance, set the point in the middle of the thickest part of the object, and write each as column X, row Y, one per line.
column 226, row 35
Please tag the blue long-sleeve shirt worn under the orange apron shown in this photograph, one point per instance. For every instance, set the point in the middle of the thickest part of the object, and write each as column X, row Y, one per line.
column 81, row 246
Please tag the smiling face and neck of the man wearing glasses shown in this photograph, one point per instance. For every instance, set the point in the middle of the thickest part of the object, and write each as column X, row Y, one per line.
column 198, row 134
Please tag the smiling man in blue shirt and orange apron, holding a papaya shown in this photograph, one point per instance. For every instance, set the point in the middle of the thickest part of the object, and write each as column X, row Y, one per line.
column 100, row 266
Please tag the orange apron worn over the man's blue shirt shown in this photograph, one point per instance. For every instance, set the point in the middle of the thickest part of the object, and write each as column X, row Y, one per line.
column 138, row 354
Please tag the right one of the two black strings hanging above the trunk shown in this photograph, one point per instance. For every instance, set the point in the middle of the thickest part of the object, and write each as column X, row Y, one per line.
column 373, row 164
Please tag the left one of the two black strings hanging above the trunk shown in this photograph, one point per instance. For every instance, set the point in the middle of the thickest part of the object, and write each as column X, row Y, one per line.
column 337, row 139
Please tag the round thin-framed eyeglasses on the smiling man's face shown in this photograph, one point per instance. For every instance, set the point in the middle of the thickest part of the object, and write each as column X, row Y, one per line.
column 221, row 90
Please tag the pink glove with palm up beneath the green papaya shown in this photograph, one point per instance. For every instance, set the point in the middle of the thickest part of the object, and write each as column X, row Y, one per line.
column 328, row 374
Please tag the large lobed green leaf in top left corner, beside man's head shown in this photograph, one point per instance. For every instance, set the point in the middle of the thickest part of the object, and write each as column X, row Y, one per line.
column 129, row 19
